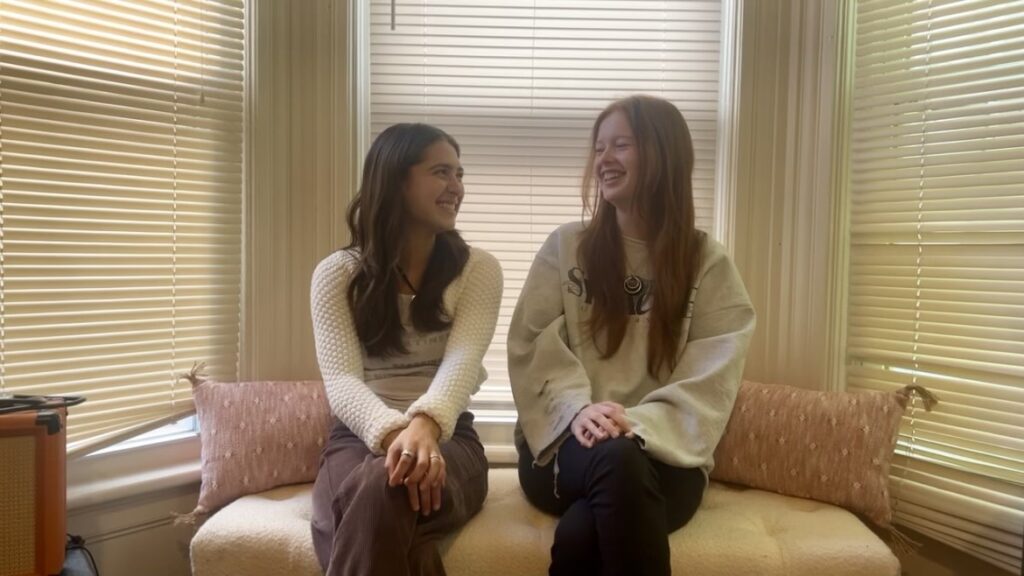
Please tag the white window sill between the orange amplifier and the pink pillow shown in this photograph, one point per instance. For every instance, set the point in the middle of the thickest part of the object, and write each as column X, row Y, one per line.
column 115, row 475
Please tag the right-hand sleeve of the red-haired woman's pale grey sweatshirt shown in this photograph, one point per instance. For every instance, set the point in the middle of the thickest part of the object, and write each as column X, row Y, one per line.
column 681, row 423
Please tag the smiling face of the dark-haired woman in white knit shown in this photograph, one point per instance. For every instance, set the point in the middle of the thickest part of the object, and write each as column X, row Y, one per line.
column 434, row 190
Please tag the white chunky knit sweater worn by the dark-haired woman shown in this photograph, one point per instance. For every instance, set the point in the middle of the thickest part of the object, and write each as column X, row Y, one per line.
column 472, row 301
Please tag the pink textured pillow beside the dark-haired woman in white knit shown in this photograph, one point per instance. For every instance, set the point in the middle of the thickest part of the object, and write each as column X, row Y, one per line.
column 257, row 436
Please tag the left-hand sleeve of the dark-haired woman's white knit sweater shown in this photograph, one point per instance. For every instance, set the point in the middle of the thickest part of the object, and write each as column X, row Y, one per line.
column 340, row 356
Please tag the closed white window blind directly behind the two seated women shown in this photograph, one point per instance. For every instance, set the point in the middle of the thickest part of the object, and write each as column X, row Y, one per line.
column 520, row 85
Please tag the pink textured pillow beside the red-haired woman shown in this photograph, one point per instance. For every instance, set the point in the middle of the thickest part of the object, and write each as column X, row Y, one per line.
column 834, row 447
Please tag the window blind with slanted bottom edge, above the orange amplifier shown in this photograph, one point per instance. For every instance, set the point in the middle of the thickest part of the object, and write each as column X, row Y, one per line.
column 120, row 203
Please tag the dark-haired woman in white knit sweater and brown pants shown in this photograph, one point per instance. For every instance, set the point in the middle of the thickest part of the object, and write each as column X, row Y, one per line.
column 402, row 319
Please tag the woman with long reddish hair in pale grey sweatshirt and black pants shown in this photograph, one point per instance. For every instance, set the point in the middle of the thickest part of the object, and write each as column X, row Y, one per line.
column 626, row 352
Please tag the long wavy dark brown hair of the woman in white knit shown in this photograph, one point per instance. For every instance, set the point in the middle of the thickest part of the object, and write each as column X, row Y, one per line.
column 377, row 220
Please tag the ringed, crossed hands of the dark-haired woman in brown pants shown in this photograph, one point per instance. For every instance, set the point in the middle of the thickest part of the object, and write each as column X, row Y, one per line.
column 414, row 459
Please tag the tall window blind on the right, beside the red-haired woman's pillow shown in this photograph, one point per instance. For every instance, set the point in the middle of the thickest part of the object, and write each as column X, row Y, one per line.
column 936, row 279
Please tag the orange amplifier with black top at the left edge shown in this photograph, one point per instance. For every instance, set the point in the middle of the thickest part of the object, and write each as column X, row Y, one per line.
column 33, row 498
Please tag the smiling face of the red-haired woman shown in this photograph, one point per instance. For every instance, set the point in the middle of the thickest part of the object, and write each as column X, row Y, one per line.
column 616, row 160
